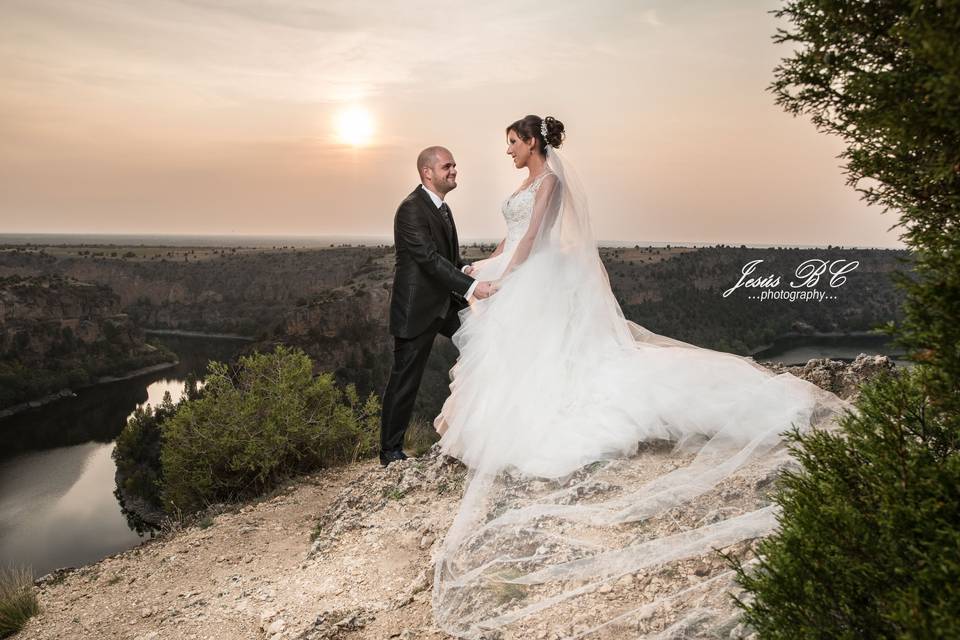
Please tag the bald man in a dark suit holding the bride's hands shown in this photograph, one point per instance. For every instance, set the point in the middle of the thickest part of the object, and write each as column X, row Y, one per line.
column 430, row 286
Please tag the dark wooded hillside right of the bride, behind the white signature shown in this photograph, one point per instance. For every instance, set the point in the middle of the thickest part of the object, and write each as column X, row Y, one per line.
column 683, row 297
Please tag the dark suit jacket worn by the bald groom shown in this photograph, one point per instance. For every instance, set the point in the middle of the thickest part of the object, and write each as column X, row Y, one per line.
column 428, row 280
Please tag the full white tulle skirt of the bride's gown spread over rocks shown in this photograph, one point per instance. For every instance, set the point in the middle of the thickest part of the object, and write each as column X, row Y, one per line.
column 545, row 384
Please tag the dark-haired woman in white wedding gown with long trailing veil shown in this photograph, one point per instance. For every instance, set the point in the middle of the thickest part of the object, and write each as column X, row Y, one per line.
column 606, row 463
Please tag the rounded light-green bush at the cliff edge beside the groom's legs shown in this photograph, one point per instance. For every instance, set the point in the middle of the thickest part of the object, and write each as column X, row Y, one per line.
column 256, row 426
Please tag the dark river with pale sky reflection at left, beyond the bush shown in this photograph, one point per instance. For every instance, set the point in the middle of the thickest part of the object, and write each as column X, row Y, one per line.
column 57, row 503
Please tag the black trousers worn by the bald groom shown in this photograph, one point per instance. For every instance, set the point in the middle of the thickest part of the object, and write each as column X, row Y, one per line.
column 410, row 357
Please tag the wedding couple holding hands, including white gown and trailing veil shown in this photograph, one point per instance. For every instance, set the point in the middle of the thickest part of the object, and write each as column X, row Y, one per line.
column 556, row 400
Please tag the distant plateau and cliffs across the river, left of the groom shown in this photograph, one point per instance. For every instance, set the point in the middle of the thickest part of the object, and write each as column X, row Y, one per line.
column 202, row 289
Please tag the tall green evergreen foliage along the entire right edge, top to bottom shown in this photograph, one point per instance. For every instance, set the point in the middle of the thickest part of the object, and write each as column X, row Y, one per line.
column 869, row 542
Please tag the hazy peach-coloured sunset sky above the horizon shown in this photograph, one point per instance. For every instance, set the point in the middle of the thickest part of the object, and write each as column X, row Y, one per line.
column 219, row 116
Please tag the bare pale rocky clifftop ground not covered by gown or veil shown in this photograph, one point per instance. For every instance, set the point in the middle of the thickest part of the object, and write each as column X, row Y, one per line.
column 342, row 553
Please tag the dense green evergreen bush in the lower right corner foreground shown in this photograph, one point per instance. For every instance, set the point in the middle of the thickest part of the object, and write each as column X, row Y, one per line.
column 868, row 545
